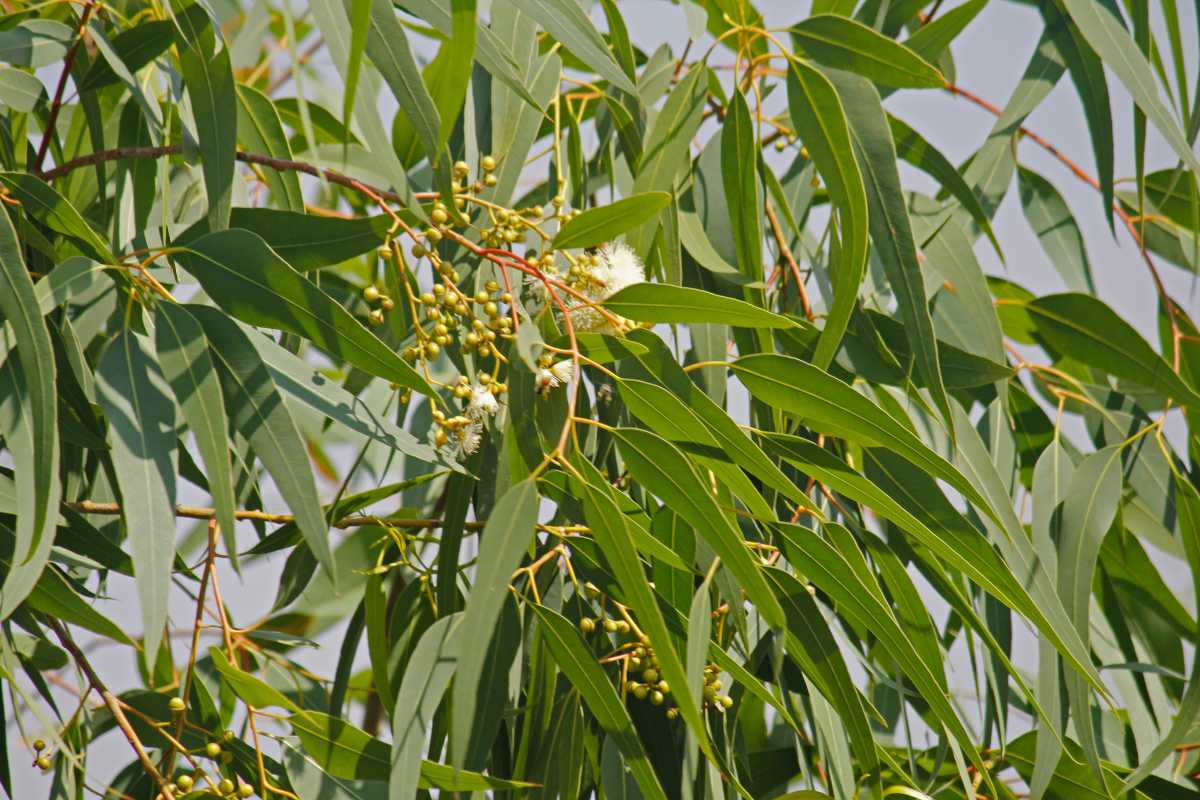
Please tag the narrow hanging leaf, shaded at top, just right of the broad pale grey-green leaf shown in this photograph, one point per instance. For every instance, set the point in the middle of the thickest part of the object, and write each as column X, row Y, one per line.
column 183, row 353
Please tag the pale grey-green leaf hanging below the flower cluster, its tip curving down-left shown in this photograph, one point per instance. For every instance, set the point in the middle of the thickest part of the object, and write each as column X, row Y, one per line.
column 505, row 542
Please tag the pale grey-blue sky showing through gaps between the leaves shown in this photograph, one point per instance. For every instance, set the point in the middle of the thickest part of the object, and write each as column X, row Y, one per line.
column 991, row 57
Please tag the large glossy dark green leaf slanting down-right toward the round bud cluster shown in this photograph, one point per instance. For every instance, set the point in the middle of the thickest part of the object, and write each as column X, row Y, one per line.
column 250, row 281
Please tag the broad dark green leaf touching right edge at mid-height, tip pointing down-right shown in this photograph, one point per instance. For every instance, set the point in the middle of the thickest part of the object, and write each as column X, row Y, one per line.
column 1090, row 332
